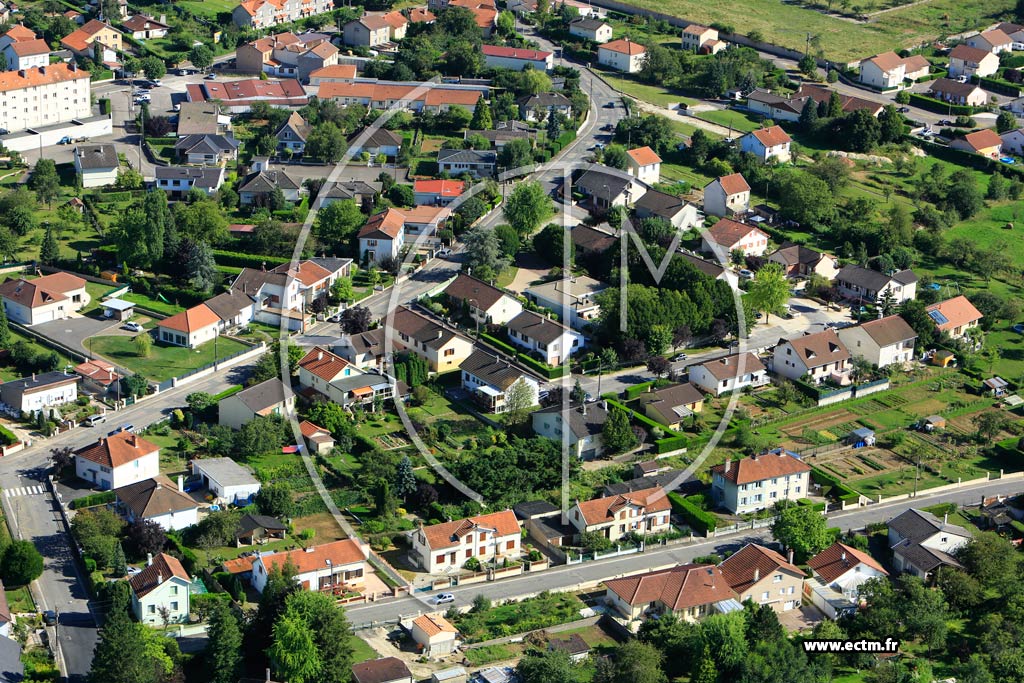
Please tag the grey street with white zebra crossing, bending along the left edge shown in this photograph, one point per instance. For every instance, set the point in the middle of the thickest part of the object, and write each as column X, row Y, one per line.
column 34, row 516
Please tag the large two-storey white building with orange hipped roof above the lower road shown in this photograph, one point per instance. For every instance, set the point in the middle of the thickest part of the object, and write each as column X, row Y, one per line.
column 757, row 483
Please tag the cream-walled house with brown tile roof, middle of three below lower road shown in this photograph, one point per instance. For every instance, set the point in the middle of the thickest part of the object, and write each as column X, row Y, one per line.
column 765, row 578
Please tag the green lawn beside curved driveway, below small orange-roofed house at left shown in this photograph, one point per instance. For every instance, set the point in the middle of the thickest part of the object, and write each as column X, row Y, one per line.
column 165, row 362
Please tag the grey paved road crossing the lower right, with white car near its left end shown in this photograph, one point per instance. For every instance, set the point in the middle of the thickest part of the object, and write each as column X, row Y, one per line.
column 591, row 574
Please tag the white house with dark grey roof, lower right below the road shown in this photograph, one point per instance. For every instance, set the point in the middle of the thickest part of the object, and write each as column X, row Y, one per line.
column 922, row 543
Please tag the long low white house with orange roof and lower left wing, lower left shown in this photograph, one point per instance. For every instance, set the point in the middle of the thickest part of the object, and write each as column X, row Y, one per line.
column 337, row 567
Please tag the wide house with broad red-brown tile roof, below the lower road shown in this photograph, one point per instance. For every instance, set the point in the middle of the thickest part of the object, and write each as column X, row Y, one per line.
column 689, row 591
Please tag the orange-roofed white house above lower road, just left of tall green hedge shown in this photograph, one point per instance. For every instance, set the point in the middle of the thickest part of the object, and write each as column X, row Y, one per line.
column 642, row 513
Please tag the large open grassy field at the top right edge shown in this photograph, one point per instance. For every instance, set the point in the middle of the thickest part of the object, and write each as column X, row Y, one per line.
column 789, row 25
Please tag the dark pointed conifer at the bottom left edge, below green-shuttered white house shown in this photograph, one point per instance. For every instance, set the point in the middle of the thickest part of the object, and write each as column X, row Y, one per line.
column 121, row 655
